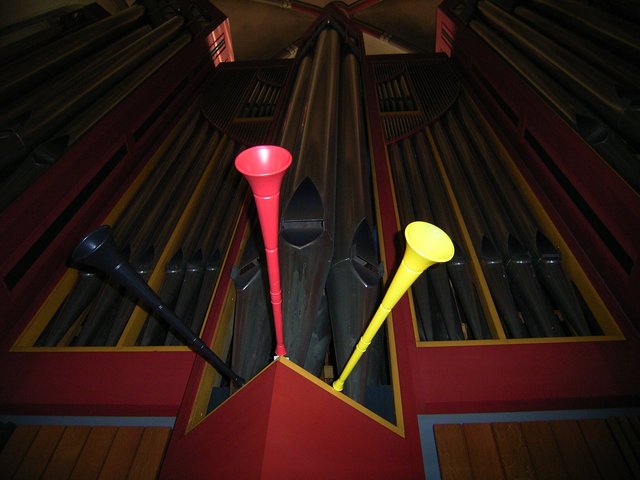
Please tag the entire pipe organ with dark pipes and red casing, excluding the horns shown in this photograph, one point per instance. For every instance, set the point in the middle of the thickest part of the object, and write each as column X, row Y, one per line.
column 515, row 138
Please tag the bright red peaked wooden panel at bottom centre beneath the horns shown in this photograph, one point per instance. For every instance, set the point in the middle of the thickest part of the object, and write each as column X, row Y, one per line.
column 284, row 424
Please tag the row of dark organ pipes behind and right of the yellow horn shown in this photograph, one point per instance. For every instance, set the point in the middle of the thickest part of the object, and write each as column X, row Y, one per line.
column 523, row 270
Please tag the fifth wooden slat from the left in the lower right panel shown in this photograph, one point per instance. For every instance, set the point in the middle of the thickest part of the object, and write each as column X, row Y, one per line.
column 574, row 450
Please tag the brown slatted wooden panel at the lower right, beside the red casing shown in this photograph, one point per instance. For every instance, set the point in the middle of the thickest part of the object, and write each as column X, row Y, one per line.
column 574, row 449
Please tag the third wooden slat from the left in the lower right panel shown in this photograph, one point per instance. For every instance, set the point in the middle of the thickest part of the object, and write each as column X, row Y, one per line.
column 513, row 451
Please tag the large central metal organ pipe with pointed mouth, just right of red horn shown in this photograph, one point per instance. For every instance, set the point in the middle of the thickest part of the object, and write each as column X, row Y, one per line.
column 308, row 194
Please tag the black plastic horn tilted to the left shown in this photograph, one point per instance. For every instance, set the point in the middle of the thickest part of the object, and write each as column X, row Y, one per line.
column 99, row 251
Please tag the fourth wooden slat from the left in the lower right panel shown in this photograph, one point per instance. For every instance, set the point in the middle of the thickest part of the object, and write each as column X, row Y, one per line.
column 544, row 451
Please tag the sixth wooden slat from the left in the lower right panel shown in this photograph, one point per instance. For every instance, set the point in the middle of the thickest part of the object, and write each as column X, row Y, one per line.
column 604, row 450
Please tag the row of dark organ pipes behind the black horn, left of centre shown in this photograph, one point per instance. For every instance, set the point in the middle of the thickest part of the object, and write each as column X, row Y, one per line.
column 96, row 312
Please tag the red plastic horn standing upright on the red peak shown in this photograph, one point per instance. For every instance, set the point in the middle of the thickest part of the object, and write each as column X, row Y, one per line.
column 264, row 167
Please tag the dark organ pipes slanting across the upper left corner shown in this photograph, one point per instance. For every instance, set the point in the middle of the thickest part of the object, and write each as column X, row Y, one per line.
column 54, row 94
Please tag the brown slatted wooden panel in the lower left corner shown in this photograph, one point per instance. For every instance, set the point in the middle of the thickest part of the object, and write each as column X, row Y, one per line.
column 80, row 452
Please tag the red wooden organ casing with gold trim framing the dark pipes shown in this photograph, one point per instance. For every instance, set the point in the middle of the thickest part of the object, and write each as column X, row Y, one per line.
column 285, row 419
